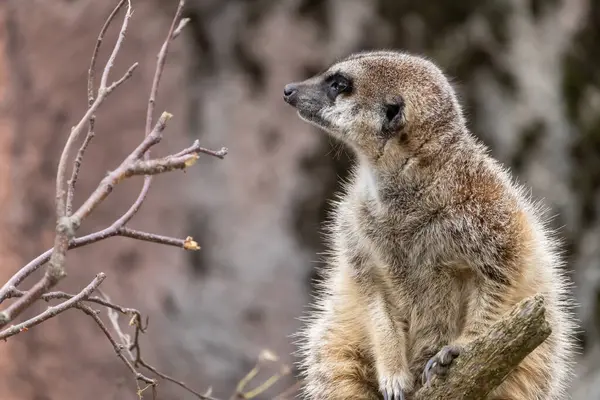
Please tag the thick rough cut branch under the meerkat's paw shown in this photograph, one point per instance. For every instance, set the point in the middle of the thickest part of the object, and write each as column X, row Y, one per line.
column 487, row 361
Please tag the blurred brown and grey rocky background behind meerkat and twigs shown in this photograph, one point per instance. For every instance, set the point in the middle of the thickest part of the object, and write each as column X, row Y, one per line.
column 527, row 73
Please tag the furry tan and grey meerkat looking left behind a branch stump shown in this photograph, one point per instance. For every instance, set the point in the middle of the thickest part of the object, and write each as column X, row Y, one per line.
column 430, row 243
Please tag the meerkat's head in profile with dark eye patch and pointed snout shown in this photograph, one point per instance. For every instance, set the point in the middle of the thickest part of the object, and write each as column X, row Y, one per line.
column 378, row 102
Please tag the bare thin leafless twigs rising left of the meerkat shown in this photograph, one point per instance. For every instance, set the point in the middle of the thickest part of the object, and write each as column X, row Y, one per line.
column 68, row 219
